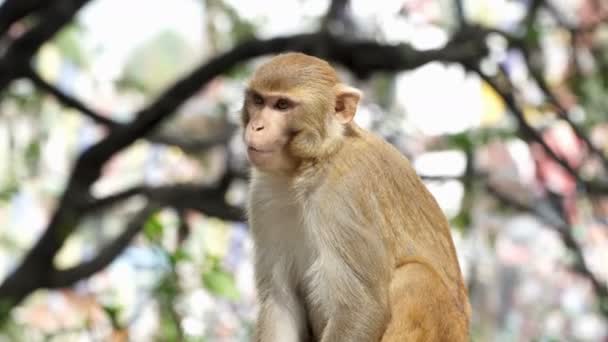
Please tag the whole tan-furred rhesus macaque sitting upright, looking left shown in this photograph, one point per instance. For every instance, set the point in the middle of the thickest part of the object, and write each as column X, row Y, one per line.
column 349, row 244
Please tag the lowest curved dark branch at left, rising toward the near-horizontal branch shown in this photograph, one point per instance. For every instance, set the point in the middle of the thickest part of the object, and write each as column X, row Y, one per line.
column 67, row 277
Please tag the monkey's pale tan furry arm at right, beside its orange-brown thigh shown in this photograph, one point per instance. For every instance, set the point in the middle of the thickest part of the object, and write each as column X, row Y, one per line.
column 353, row 275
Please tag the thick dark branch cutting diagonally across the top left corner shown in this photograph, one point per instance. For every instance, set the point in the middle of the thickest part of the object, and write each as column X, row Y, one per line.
column 16, row 59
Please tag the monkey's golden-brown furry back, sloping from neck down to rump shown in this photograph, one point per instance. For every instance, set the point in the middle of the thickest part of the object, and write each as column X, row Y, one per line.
column 413, row 226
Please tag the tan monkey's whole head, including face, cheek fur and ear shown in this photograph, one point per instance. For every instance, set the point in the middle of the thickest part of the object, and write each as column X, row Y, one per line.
column 295, row 109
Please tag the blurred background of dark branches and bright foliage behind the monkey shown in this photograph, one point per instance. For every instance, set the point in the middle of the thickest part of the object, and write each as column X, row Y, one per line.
column 122, row 173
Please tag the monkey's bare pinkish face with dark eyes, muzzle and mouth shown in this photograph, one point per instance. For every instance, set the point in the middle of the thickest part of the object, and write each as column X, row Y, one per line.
column 267, row 133
